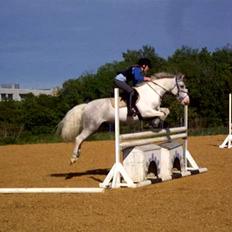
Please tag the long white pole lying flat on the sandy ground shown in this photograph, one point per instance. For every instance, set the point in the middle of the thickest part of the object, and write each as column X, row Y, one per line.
column 51, row 190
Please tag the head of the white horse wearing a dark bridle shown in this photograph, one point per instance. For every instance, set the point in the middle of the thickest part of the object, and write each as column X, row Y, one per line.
column 180, row 90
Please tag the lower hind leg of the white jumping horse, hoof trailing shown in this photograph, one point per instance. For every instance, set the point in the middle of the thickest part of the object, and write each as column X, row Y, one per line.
column 78, row 141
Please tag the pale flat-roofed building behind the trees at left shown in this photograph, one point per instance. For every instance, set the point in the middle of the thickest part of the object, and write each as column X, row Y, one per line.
column 14, row 92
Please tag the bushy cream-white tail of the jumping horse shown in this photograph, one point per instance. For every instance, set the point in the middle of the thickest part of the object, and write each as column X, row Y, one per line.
column 70, row 126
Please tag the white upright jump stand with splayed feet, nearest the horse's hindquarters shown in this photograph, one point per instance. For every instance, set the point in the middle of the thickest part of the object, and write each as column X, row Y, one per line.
column 113, row 179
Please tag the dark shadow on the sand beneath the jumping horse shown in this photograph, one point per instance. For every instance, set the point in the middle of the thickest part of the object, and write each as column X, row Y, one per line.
column 70, row 175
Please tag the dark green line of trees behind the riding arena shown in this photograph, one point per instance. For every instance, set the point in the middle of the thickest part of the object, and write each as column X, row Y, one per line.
column 208, row 76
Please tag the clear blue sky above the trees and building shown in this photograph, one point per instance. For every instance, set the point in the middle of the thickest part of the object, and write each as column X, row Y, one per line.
column 45, row 42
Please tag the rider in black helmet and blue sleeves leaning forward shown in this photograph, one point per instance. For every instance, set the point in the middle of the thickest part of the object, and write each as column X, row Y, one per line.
column 134, row 74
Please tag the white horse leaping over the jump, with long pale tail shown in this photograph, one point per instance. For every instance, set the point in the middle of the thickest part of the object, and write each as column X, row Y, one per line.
column 85, row 119
